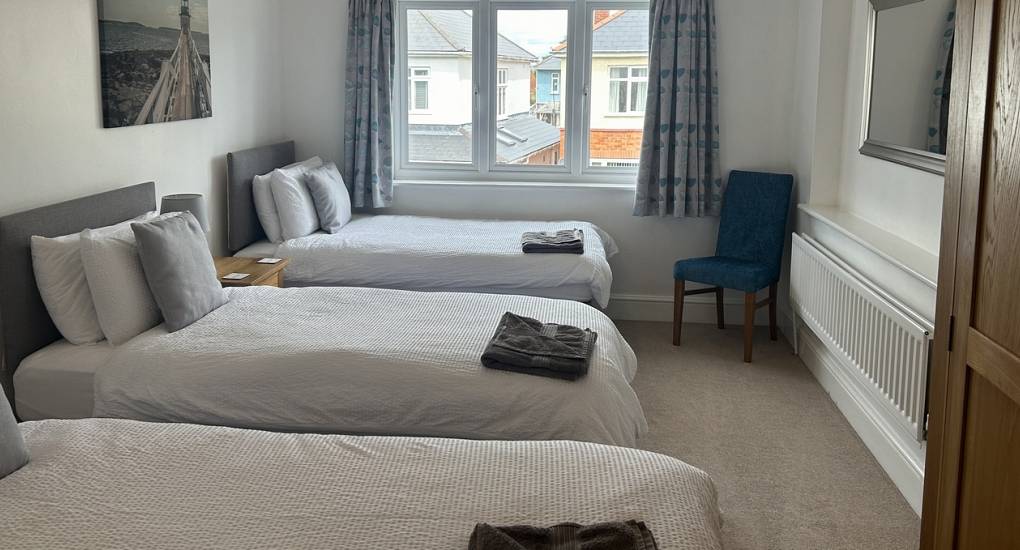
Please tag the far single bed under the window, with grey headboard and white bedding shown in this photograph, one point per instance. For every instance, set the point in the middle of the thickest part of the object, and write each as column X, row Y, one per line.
column 419, row 254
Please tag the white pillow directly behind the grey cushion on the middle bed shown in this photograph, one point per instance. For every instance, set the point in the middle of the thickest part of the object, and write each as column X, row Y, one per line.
column 121, row 293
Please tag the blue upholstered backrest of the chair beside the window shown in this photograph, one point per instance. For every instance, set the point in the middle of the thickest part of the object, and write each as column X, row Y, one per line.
column 755, row 208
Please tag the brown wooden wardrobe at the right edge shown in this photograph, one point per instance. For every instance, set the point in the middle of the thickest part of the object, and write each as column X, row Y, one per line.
column 973, row 476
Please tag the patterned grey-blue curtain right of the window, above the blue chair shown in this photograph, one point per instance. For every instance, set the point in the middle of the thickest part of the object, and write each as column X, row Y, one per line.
column 680, row 173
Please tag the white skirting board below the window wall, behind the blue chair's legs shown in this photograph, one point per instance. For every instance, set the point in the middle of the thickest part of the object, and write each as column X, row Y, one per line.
column 698, row 309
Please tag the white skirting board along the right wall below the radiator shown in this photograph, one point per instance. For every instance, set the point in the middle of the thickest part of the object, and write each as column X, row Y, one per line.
column 902, row 461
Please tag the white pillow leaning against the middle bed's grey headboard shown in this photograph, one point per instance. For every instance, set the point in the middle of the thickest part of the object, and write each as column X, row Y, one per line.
column 62, row 282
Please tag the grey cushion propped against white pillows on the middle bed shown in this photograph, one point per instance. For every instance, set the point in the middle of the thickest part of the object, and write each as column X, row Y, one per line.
column 180, row 270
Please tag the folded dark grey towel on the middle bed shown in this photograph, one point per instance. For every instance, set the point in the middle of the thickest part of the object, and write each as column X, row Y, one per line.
column 530, row 346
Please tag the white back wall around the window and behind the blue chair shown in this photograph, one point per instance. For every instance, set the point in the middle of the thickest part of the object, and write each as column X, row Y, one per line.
column 756, row 58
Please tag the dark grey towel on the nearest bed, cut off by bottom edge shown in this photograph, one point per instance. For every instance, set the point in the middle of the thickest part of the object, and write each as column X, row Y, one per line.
column 616, row 536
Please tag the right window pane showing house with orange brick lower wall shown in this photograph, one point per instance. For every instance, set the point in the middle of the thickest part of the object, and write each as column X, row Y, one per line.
column 620, row 86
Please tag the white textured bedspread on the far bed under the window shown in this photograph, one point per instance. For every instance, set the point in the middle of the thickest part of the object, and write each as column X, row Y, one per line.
column 432, row 254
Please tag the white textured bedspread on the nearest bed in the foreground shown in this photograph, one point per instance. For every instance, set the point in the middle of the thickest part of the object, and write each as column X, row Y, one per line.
column 117, row 484
